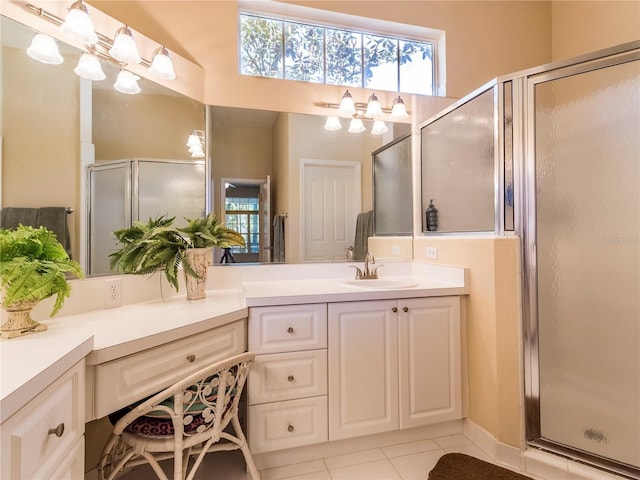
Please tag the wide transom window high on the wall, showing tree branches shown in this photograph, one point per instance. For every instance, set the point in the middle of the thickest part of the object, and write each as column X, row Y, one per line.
column 275, row 48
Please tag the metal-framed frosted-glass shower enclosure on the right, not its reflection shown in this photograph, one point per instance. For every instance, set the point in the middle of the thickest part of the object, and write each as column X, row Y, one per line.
column 552, row 154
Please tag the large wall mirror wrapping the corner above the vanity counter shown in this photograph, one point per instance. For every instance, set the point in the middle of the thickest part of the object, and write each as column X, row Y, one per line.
column 307, row 184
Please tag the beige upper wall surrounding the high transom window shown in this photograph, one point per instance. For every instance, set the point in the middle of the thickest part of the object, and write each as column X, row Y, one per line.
column 483, row 40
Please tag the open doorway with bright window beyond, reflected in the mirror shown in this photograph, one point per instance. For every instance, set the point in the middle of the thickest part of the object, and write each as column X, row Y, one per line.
column 247, row 209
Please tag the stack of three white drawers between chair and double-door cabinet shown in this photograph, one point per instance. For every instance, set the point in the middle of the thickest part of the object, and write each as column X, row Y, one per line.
column 287, row 387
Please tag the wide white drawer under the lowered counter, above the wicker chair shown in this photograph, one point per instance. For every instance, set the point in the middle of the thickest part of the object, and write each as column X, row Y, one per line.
column 129, row 379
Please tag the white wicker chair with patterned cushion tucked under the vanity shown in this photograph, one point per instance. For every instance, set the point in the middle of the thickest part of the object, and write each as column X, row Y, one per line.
column 183, row 422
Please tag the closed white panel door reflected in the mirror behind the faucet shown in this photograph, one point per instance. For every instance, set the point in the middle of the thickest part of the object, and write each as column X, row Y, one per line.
column 330, row 204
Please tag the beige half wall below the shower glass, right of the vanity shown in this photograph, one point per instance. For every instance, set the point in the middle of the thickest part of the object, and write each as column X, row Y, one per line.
column 493, row 335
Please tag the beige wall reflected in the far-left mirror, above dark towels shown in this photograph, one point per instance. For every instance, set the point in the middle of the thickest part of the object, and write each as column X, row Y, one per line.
column 40, row 129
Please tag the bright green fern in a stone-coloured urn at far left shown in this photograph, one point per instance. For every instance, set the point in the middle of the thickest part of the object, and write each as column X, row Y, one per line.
column 33, row 266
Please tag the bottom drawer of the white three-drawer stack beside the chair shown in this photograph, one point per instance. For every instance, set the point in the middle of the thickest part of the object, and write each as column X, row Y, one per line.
column 274, row 426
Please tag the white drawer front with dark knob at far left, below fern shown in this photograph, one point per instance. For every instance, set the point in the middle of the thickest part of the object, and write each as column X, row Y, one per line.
column 30, row 446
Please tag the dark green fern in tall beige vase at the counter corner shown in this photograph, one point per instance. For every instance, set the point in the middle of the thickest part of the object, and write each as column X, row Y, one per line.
column 156, row 245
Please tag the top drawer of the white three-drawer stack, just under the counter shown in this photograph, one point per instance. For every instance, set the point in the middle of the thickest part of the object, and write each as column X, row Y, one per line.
column 287, row 328
